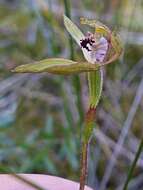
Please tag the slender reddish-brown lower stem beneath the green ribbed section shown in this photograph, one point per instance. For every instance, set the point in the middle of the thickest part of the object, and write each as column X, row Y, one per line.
column 89, row 125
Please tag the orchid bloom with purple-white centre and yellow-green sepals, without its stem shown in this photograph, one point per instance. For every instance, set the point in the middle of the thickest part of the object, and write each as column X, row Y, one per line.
column 92, row 45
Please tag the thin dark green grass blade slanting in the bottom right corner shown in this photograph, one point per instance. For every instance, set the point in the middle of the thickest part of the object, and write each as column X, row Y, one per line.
column 131, row 170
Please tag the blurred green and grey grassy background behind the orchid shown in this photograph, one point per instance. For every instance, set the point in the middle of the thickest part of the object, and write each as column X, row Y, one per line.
column 41, row 115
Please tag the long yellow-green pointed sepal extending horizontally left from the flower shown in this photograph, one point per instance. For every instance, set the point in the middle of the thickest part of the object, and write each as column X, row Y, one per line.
column 57, row 66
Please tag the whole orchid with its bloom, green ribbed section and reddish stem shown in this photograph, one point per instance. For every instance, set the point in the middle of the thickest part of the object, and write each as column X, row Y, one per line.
column 99, row 48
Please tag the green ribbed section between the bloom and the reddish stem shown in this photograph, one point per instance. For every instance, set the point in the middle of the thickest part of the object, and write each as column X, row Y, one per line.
column 95, row 82
